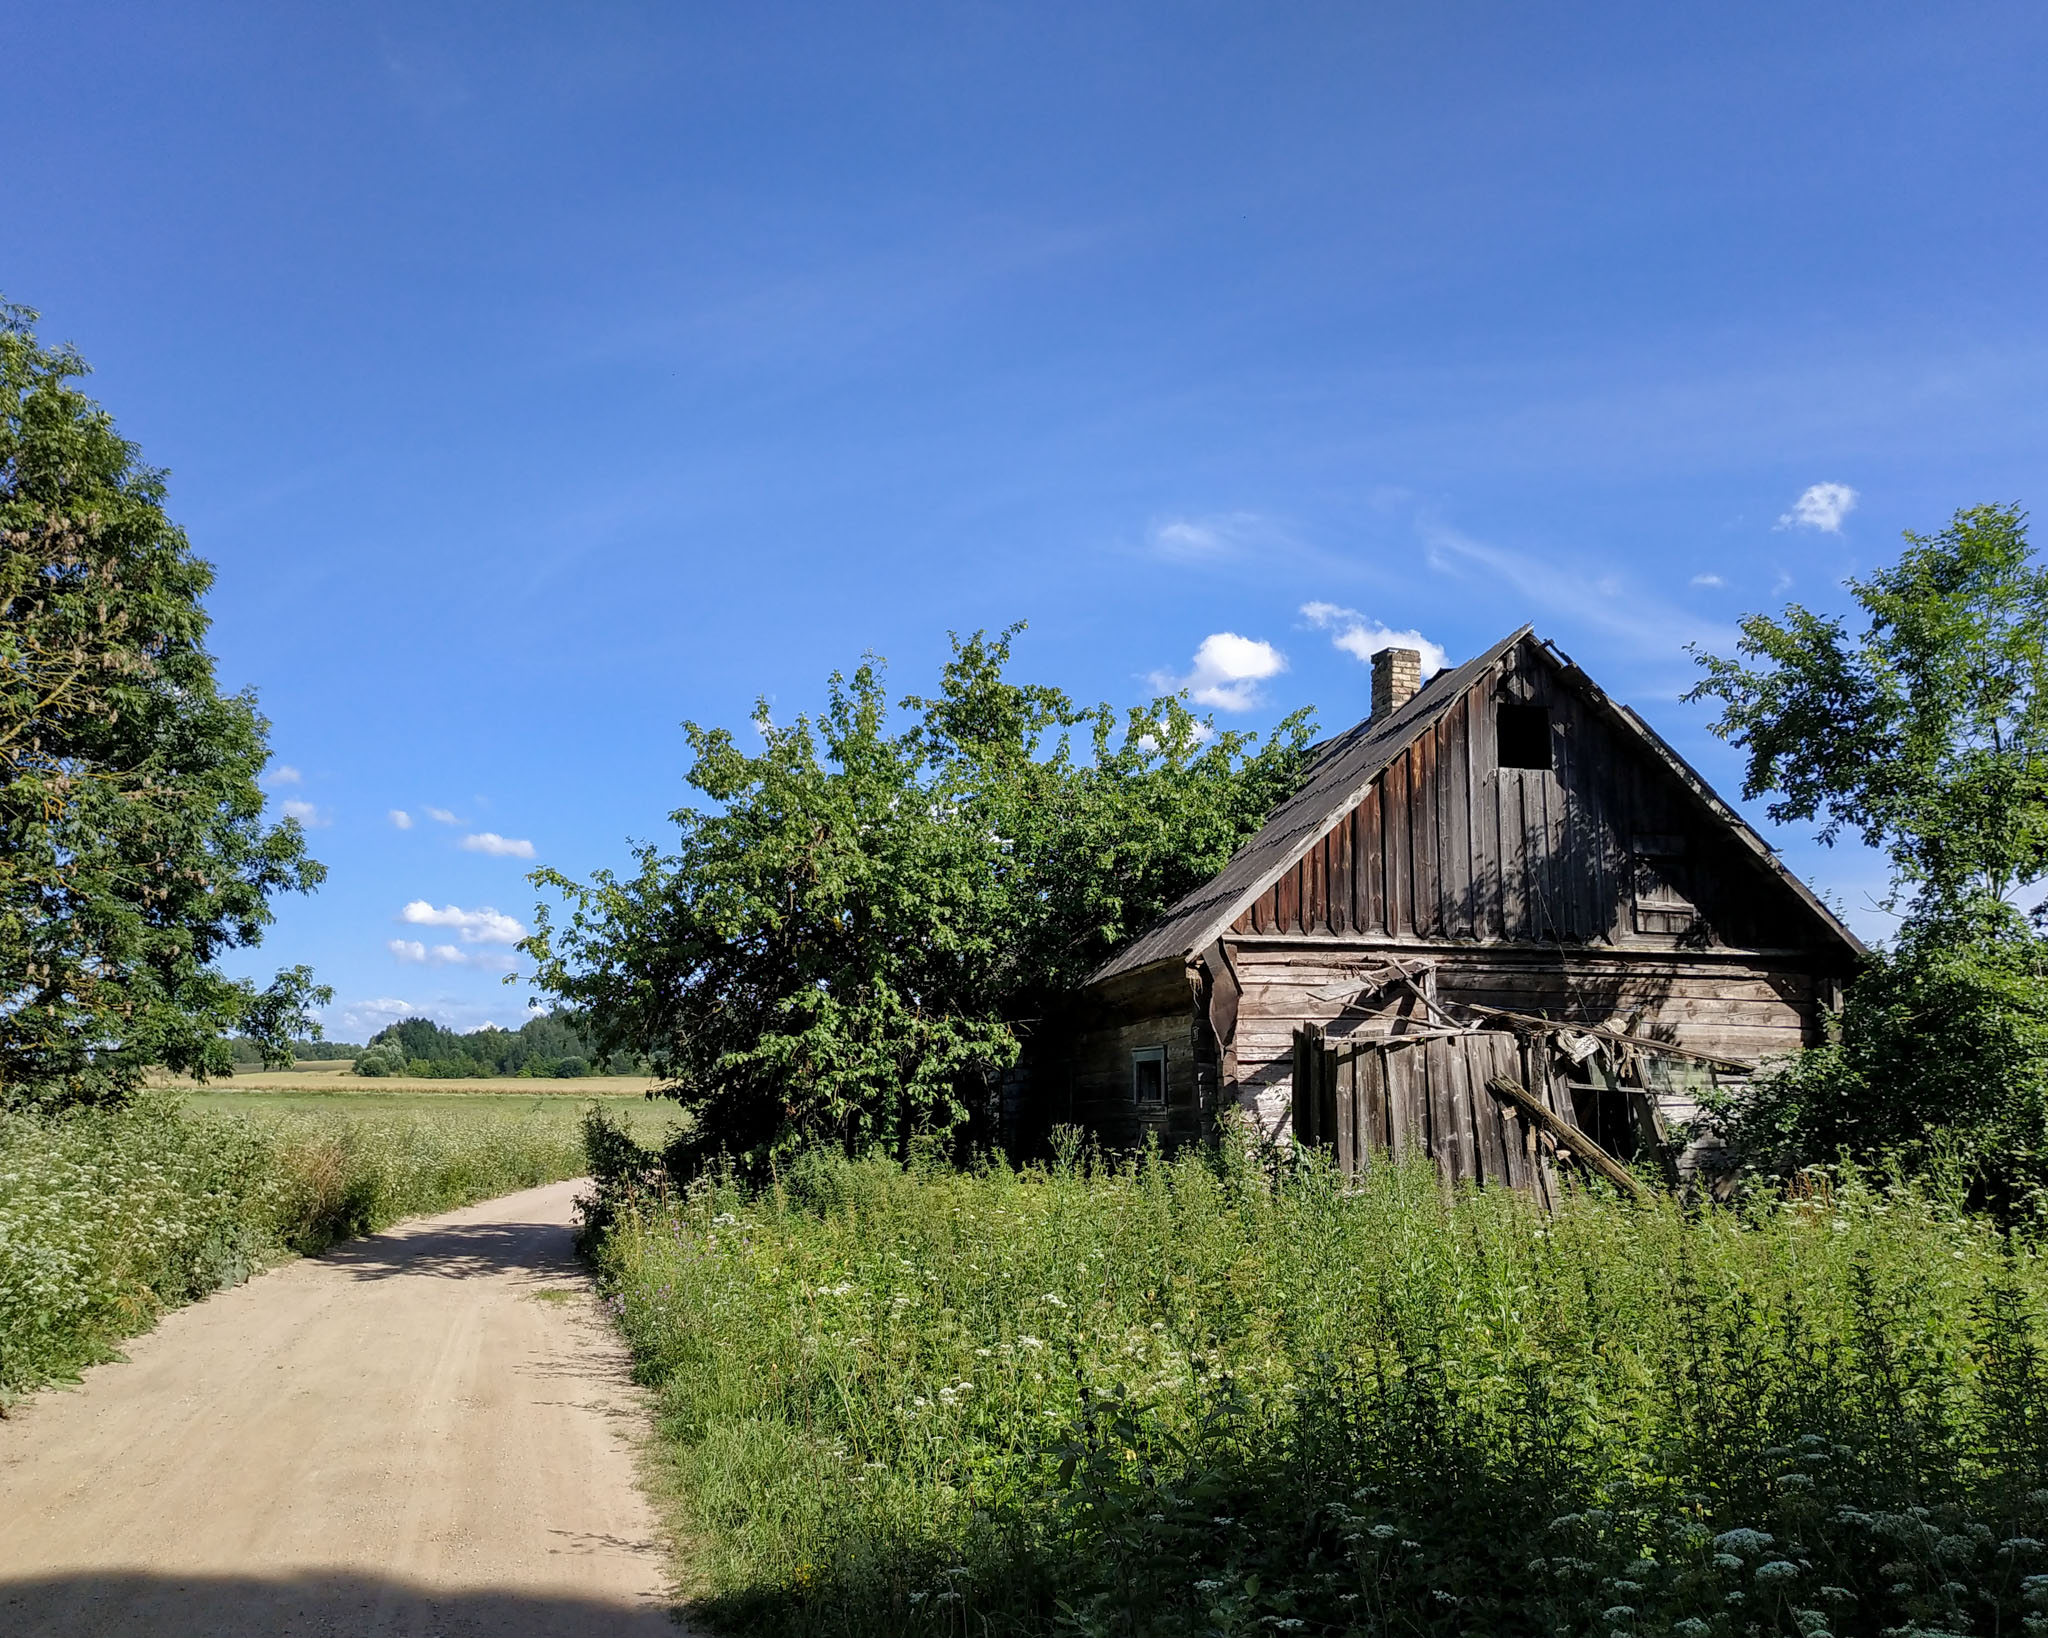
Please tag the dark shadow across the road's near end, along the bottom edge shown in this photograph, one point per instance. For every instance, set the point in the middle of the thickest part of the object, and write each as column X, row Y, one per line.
column 335, row 1604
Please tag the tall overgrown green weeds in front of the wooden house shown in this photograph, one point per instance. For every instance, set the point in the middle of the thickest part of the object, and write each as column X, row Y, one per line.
column 1177, row 1397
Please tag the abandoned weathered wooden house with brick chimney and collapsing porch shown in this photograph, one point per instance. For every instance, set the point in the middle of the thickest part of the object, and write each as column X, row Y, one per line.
column 1500, row 883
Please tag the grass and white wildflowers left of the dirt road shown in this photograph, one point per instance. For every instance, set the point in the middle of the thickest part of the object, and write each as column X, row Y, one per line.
column 110, row 1217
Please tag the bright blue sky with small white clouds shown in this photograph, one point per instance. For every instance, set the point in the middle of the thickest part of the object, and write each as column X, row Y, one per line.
column 538, row 376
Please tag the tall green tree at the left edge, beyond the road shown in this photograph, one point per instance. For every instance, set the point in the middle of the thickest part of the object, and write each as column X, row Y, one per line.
column 134, row 849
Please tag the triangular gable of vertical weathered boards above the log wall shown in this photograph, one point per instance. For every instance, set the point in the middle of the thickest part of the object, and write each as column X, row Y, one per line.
column 1605, row 847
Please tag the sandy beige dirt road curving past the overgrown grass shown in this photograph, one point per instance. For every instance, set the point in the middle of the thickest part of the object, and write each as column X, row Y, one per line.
column 425, row 1432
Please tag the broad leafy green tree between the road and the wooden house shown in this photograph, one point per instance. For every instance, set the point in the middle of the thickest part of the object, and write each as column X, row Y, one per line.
column 865, row 920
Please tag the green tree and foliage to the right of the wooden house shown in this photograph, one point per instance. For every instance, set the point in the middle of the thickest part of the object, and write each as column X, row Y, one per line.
column 1928, row 738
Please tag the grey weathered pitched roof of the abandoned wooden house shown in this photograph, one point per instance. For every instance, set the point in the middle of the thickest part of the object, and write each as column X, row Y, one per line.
column 1338, row 783
